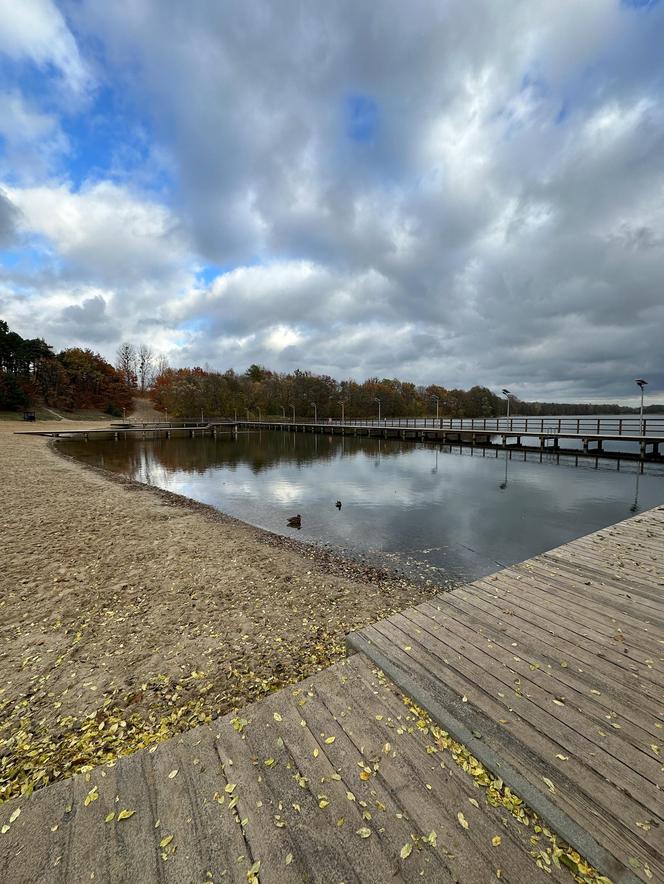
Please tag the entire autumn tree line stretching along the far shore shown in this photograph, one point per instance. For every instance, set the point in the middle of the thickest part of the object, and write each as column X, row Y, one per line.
column 31, row 373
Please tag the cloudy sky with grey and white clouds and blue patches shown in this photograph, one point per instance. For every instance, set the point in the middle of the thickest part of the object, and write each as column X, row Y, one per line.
column 445, row 192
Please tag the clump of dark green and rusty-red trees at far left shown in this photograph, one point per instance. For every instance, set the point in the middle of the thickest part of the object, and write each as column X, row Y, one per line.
column 31, row 373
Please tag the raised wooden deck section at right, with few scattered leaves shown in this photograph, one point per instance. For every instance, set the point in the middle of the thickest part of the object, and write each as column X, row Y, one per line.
column 552, row 673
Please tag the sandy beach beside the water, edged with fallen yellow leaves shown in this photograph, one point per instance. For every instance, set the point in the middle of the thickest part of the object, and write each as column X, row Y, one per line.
column 147, row 613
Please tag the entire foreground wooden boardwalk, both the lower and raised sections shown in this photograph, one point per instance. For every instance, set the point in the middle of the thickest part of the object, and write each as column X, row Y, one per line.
column 549, row 672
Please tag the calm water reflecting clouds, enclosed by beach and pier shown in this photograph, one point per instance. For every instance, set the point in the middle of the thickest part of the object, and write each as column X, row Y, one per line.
column 427, row 510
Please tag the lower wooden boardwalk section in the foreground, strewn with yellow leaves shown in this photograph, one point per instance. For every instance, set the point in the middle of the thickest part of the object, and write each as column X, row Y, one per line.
column 330, row 781
